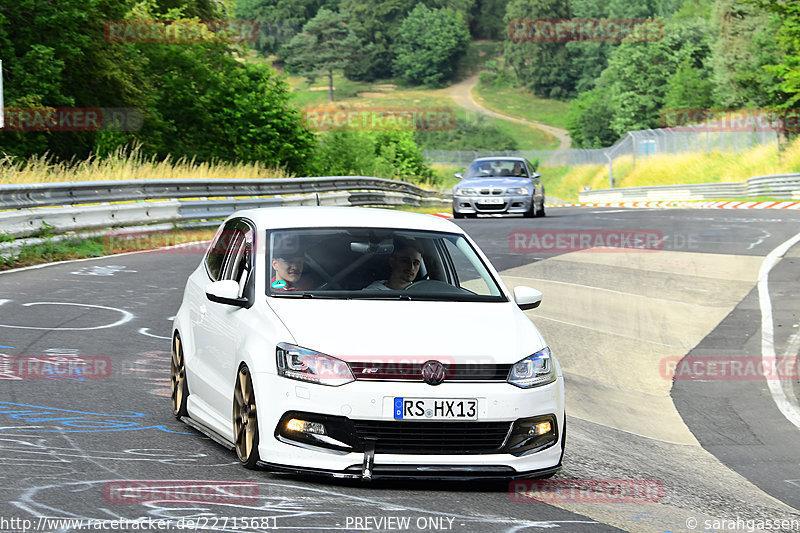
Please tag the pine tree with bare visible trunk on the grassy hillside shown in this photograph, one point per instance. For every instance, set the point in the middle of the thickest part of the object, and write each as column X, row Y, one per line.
column 325, row 44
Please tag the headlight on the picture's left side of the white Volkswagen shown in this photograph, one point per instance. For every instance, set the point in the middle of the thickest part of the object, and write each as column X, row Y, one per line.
column 307, row 365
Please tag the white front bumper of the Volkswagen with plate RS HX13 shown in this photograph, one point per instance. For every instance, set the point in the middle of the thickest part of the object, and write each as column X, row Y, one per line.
column 372, row 403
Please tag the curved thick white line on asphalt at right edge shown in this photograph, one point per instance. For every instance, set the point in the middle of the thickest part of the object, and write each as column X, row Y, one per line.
column 789, row 409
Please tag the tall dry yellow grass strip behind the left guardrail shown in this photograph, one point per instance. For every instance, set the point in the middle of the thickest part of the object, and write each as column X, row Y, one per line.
column 123, row 164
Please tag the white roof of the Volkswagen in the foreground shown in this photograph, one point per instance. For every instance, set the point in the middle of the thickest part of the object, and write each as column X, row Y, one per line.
column 357, row 217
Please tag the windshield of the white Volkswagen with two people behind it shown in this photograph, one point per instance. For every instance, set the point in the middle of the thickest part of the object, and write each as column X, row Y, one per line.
column 374, row 263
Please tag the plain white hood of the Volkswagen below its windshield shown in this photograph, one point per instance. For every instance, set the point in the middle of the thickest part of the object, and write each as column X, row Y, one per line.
column 491, row 333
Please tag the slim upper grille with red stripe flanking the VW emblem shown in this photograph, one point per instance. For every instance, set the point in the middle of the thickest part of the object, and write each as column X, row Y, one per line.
column 399, row 371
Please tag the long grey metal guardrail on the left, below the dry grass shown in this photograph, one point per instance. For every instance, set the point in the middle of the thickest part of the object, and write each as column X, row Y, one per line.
column 86, row 205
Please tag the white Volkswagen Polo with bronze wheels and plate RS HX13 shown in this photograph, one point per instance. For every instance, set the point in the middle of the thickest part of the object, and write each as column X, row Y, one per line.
column 364, row 343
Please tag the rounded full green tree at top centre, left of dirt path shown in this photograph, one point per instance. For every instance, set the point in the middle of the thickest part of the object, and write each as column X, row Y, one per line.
column 431, row 41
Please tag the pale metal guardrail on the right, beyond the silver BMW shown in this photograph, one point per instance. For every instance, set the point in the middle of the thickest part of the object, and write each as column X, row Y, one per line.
column 781, row 186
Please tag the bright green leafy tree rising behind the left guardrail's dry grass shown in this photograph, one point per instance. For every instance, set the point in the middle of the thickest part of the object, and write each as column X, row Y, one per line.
column 210, row 106
